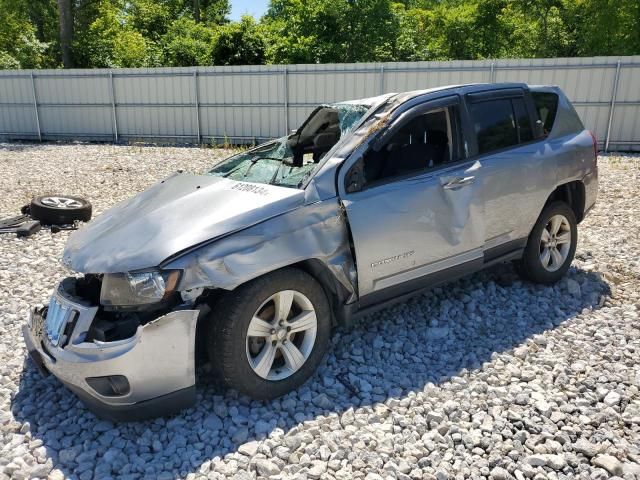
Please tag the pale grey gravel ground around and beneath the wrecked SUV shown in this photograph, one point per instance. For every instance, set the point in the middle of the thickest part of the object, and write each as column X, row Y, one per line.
column 488, row 377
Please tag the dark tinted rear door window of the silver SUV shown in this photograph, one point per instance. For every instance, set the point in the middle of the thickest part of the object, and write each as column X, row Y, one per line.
column 501, row 123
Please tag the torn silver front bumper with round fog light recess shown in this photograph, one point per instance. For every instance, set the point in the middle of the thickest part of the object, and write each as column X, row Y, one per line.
column 153, row 371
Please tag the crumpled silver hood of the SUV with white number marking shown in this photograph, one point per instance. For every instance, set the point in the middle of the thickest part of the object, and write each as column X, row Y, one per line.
column 173, row 215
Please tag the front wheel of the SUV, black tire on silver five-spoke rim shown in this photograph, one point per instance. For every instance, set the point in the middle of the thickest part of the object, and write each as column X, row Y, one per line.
column 231, row 350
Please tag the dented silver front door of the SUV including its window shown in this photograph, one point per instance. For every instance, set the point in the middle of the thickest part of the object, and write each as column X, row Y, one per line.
column 413, row 203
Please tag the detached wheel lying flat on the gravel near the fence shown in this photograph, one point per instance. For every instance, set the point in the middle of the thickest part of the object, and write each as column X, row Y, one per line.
column 59, row 209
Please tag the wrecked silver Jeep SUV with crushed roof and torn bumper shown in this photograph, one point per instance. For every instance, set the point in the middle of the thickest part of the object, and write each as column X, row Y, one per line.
column 252, row 263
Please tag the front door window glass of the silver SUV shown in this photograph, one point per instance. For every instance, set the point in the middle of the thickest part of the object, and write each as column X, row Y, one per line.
column 424, row 143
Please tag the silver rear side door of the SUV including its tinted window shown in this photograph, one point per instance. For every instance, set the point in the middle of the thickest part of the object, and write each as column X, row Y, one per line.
column 505, row 137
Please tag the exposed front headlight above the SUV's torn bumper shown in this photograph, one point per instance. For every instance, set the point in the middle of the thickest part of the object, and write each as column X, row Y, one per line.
column 136, row 289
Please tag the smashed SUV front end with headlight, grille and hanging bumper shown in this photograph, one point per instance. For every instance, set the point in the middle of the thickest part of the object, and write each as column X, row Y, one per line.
column 123, row 343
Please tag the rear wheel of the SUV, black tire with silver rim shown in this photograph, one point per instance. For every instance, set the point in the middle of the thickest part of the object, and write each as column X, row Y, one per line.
column 538, row 266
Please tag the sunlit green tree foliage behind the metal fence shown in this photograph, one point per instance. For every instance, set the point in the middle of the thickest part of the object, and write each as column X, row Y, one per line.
column 143, row 33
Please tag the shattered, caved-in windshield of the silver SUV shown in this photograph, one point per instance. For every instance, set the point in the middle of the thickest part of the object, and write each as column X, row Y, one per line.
column 288, row 161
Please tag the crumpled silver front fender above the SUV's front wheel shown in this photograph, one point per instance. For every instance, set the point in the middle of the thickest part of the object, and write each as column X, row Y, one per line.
column 315, row 231
